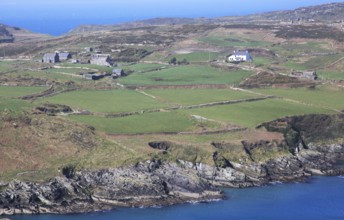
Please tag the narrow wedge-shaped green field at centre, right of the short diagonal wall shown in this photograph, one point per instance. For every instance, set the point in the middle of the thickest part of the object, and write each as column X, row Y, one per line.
column 197, row 96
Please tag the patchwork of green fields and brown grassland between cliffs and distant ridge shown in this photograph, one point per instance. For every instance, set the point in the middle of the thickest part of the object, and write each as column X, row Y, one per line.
column 196, row 102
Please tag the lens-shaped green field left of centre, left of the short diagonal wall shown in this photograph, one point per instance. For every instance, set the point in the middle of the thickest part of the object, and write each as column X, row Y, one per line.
column 112, row 101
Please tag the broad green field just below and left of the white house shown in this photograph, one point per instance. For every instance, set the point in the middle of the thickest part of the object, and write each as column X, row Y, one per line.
column 186, row 75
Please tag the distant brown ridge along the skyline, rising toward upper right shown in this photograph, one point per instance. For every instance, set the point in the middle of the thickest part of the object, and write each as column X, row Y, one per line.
column 326, row 13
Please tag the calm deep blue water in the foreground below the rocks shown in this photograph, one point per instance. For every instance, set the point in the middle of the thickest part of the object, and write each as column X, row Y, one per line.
column 320, row 198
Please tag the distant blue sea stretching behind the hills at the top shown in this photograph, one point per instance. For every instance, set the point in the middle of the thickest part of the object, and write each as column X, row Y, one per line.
column 58, row 18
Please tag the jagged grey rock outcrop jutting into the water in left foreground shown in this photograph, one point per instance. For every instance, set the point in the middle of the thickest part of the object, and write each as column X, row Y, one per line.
column 104, row 189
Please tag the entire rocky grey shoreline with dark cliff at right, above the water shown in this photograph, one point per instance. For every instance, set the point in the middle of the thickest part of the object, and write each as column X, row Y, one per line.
column 306, row 151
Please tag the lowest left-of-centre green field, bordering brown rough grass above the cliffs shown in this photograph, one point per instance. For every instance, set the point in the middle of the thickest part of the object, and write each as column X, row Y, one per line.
column 145, row 123
